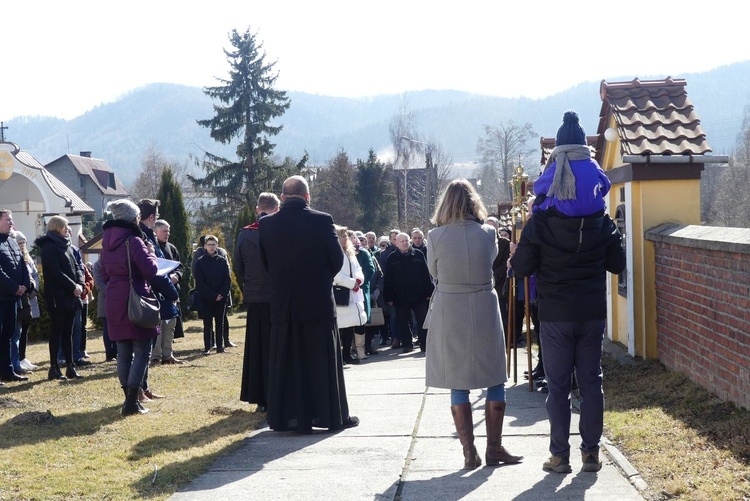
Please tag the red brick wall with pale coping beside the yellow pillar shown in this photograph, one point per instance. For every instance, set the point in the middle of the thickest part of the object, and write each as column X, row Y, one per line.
column 703, row 305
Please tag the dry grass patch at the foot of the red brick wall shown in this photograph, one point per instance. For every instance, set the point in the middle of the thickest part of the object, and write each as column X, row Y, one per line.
column 686, row 443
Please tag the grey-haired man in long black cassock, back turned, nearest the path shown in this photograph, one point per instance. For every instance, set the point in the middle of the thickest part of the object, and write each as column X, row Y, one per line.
column 306, row 380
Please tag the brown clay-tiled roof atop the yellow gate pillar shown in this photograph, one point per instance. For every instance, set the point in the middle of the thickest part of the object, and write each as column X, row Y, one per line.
column 653, row 117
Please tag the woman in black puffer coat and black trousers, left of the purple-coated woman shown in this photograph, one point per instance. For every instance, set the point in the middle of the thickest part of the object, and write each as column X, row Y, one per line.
column 63, row 286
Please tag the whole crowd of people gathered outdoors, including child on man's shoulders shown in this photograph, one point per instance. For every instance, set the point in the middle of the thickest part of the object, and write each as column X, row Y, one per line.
column 310, row 313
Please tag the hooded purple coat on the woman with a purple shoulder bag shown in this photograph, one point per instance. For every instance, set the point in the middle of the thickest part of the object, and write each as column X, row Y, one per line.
column 115, row 274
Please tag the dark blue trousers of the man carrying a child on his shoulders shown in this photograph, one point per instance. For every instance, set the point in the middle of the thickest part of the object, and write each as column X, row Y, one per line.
column 575, row 346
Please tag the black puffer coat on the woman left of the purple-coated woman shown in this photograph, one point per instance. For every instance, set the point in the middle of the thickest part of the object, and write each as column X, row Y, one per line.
column 61, row 272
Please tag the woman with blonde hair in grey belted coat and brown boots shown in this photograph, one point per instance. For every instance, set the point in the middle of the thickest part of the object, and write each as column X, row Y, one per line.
column 466, row 349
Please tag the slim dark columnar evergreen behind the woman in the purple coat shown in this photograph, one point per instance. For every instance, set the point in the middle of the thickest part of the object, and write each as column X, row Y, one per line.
column 172, row 210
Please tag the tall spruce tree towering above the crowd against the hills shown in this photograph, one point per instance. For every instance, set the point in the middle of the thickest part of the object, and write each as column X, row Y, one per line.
column 248, row 105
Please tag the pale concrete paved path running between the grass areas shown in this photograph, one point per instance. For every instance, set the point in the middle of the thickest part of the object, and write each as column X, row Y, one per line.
column 406, row 449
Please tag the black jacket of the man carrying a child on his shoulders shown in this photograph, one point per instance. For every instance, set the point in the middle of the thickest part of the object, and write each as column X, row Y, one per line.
column 570, row 256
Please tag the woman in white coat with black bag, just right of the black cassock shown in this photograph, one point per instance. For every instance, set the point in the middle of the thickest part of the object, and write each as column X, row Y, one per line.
column 352, row 314
